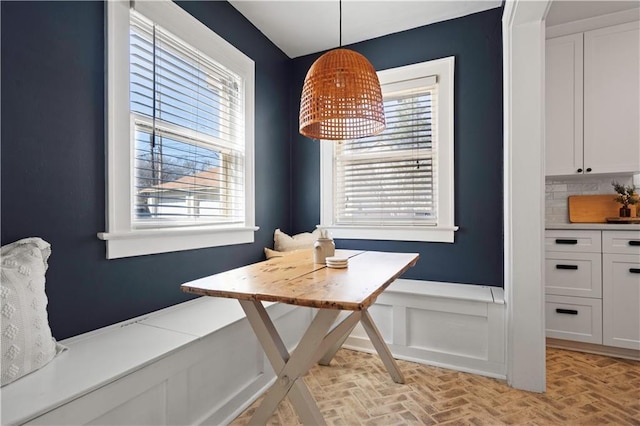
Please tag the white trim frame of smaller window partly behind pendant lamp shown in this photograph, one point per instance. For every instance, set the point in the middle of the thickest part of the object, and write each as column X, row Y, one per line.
column 444, row 231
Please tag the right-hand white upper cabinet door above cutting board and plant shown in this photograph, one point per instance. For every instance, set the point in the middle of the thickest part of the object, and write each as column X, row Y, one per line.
column 612, row 99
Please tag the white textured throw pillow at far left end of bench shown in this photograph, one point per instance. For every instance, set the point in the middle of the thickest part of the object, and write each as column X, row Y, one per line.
column 27, row 343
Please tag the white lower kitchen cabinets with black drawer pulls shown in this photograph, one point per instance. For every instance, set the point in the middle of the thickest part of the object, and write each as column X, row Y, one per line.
column 592, row 286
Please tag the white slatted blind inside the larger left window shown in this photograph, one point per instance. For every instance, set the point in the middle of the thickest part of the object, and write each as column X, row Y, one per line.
column 187, row 123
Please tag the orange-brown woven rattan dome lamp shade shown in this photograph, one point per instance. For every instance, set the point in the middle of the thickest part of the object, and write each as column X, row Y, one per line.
column 341, row 98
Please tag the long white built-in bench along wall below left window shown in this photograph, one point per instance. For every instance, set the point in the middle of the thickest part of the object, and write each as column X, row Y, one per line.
column 196, row 362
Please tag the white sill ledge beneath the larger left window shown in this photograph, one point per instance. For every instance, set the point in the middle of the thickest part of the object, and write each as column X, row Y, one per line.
column 142, row 242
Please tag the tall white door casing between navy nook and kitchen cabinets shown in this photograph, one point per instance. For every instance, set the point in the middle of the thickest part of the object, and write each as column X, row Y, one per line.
column 523, row 70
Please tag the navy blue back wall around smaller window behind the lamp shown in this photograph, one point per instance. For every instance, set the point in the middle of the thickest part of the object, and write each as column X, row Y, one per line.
column 476, row 43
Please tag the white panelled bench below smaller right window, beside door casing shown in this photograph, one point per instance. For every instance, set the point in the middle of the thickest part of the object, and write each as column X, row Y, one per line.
column 456, row 326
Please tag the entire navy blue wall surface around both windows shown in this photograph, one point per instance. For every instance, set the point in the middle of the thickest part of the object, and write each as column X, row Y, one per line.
column 53, row 162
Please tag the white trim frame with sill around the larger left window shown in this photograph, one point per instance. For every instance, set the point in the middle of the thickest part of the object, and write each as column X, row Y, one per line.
column 121, row 238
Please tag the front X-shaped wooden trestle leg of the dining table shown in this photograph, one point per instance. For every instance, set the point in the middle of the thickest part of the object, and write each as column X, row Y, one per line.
column 290, row 368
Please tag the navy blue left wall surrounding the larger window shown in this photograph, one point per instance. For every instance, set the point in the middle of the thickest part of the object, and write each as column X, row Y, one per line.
column 53, row 162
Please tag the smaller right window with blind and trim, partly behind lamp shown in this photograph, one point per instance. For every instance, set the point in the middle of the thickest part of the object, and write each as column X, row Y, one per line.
column 397, row 185
